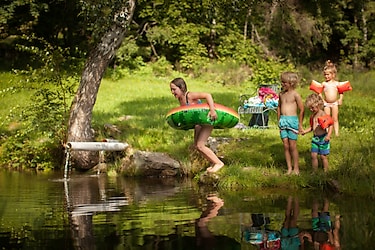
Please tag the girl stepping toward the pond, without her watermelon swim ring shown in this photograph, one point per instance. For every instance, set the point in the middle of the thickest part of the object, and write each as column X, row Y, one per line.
column 201, row 132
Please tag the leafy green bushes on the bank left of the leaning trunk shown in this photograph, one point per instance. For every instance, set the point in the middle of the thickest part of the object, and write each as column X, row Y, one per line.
column 42, row 118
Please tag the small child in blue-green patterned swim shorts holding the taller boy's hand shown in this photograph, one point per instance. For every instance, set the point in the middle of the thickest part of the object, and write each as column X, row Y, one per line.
column 321, row 125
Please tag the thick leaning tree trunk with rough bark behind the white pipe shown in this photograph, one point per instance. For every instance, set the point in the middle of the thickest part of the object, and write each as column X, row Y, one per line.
column 79, row 129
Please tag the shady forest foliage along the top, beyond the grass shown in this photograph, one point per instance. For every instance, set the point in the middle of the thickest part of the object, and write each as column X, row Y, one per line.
column 191, row 33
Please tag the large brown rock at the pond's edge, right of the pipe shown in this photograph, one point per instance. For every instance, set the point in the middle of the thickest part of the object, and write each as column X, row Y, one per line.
column 152, row 164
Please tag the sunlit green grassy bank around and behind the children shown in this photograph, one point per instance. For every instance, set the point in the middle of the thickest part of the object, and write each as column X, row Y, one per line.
column 137, row 105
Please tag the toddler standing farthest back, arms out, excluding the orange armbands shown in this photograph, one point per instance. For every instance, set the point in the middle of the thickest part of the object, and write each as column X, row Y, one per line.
column 331, row 103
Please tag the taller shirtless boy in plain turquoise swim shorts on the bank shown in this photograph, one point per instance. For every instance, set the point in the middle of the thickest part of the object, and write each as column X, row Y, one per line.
column 290, row 114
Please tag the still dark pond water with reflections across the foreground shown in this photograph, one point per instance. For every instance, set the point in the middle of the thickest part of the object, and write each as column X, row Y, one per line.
column 46, row 211
